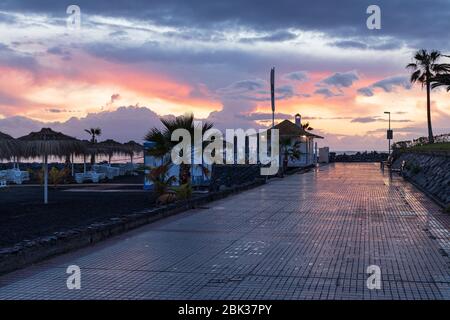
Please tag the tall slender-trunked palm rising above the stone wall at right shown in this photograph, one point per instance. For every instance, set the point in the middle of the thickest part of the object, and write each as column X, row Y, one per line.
column 424, row 69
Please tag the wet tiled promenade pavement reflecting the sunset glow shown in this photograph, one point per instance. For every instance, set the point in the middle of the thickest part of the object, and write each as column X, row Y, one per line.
column 309, row 236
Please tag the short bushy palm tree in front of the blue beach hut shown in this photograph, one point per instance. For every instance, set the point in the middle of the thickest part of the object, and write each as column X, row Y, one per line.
column 164, row 144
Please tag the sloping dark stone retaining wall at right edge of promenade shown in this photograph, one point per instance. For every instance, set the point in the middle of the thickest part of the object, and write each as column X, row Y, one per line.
column 428, row 171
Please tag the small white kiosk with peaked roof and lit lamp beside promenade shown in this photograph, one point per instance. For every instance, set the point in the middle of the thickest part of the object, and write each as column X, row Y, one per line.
column 303, row 138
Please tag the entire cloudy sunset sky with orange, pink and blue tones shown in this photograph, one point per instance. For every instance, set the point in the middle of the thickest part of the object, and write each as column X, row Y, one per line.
column 132, row 62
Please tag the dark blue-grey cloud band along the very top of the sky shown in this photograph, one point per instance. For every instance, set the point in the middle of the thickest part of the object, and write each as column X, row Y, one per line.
column 421, row 21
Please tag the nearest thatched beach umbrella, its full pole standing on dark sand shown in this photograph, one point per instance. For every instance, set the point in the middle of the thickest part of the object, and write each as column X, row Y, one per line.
column 49, row 143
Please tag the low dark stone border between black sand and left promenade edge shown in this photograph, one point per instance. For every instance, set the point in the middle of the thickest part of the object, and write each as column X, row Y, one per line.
column 29, row 252
